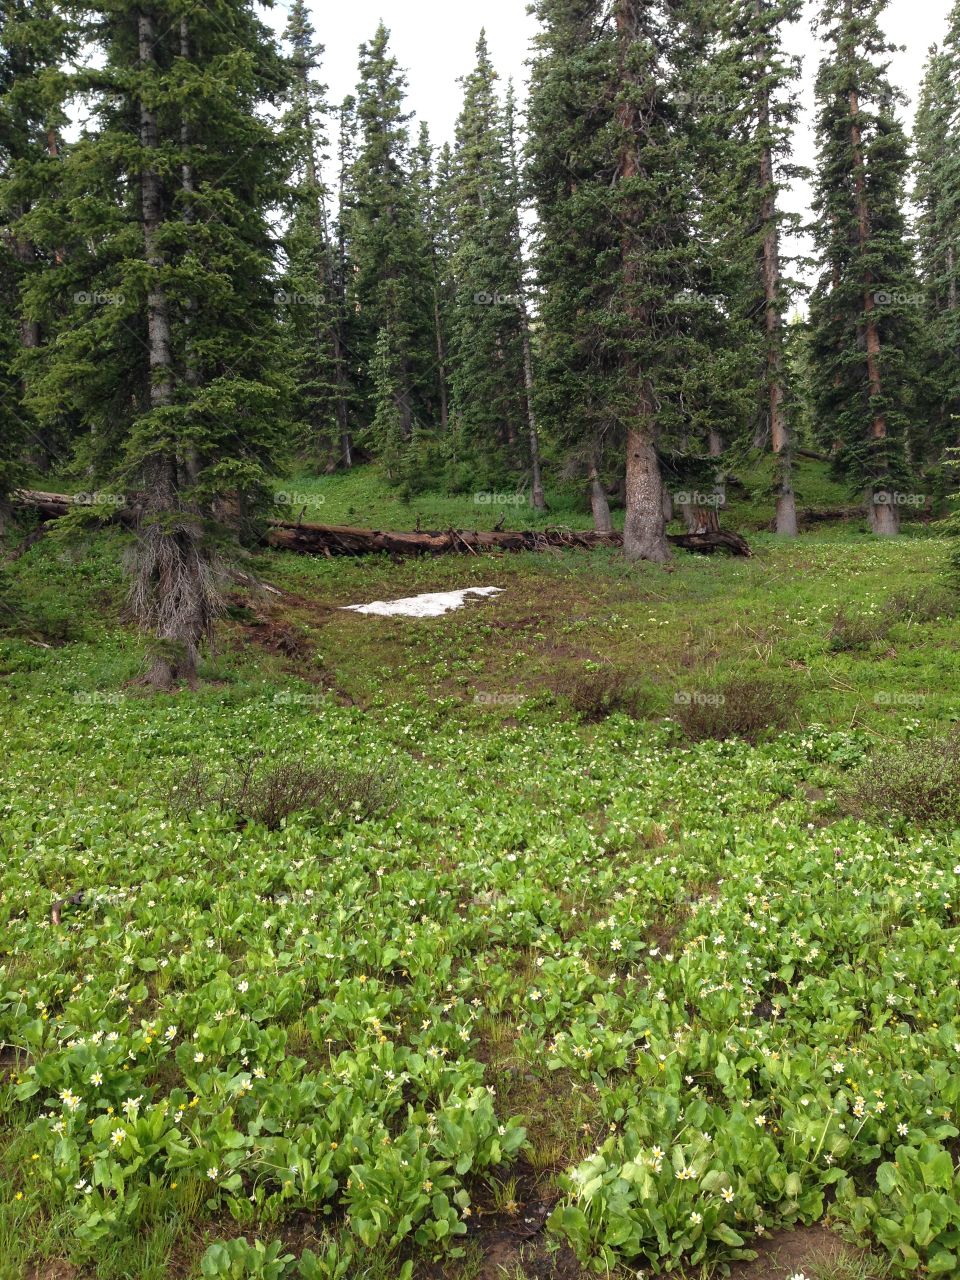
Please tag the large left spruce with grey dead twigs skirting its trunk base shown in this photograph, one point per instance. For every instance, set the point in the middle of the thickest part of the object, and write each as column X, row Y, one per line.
column 167, row 344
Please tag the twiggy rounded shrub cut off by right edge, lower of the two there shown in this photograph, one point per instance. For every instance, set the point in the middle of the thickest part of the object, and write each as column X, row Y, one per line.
column 915, row 784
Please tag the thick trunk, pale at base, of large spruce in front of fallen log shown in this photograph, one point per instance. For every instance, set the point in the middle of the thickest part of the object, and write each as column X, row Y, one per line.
column 644, row 529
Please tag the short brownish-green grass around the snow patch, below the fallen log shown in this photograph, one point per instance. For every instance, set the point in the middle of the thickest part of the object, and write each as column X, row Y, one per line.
column 666, row 636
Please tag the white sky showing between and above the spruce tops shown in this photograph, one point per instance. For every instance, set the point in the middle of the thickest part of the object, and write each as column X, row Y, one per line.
column 435, row 43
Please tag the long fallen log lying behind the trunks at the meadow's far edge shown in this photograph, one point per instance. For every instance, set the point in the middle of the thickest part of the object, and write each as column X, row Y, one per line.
column 345, row 541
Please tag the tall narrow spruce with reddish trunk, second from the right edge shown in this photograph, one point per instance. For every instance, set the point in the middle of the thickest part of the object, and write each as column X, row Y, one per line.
column 865, row 314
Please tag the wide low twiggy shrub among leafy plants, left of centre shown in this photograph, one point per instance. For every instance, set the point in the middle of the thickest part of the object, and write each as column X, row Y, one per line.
column 269, row 793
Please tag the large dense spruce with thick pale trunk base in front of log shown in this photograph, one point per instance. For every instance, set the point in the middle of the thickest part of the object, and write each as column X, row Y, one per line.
column 616, row 254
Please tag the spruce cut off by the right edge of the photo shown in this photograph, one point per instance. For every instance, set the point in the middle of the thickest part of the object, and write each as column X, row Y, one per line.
column 938, row 196
